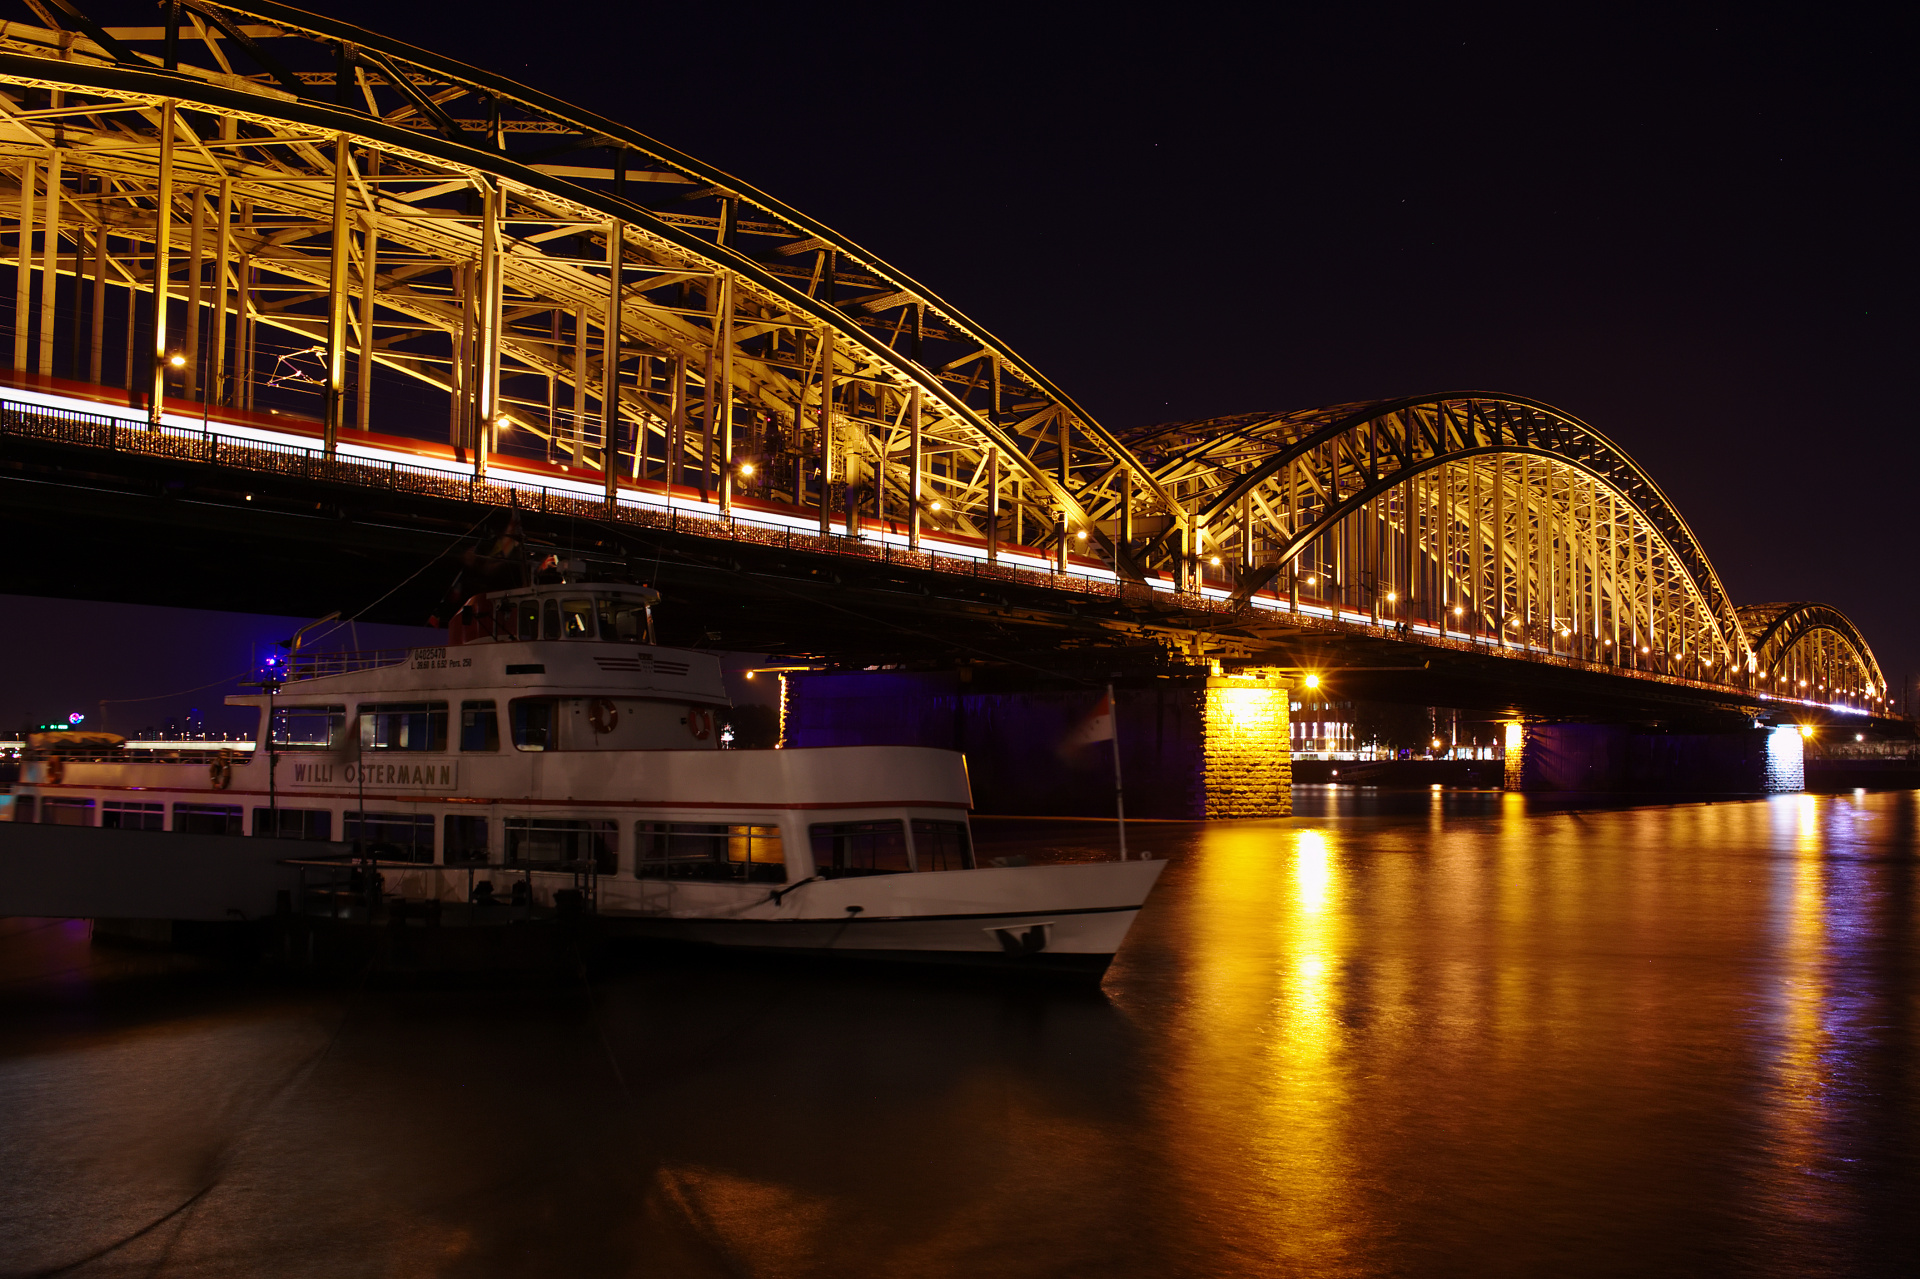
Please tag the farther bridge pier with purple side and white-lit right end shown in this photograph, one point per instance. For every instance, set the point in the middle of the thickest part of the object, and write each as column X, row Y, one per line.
column 1620, row 758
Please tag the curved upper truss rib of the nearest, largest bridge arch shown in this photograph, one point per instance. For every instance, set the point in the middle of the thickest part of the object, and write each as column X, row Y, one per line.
column 400, row 99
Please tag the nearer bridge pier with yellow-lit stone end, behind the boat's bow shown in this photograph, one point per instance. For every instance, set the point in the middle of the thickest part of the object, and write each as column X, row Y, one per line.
column 1193, row 746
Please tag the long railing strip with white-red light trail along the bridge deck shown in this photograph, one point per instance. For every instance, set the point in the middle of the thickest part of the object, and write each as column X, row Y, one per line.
column 60, row 425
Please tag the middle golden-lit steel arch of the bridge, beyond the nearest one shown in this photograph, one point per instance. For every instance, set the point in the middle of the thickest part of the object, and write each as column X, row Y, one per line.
column 1468, row 510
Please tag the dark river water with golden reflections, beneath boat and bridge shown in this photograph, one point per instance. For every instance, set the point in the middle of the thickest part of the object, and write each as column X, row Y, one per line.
column 1435, row 1034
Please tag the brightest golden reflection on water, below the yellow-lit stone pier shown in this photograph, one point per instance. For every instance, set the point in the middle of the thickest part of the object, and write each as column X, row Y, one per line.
column 1266, row 1073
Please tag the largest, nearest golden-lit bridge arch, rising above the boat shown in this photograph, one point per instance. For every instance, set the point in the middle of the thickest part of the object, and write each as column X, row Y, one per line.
column 339, row 214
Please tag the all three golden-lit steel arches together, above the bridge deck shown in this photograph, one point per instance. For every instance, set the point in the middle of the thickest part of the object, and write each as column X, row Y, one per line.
column 270, row 205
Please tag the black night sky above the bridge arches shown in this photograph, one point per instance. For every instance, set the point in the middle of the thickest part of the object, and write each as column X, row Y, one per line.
column 1689, row 226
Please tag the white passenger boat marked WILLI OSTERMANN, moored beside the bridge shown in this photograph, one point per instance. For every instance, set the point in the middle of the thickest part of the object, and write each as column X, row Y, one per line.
column 552, row 746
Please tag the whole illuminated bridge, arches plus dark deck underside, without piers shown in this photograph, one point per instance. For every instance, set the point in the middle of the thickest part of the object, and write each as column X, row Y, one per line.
column 295, row 308
